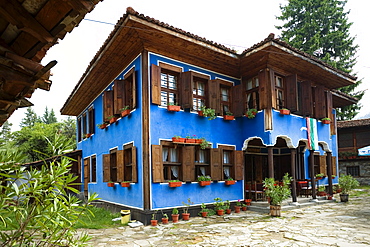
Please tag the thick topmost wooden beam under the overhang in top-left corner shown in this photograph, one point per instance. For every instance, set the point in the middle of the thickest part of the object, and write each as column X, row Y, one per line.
column 14, row 12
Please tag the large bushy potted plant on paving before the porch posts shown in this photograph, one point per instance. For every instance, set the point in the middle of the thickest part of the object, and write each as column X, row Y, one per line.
column 277, row 193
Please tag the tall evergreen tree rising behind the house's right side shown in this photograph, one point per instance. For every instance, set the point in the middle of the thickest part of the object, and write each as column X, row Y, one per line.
column 321, row 28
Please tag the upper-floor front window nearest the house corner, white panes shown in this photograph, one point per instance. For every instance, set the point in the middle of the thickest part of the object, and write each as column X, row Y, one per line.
column 169, row 87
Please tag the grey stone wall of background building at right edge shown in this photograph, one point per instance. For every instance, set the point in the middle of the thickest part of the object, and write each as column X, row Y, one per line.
column 364, row 165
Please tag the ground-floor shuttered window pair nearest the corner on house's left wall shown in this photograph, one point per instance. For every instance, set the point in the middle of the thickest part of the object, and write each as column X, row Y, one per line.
column 120, row 165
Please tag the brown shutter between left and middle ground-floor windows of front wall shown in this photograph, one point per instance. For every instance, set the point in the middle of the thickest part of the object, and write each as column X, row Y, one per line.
column 187, row 163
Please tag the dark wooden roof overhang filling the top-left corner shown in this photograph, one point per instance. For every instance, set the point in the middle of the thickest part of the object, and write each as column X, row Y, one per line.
column 28, row 28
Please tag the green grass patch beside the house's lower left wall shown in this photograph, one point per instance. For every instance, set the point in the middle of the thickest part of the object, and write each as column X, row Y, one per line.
column 102, row 219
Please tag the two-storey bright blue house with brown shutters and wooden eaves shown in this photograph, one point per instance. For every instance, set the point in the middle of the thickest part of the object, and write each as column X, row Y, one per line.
column 146, row 65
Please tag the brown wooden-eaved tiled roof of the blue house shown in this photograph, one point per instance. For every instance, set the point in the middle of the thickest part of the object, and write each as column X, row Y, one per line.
column 135, row 33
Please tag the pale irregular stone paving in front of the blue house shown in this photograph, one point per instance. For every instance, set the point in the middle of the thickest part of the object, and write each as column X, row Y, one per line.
column 329, row 224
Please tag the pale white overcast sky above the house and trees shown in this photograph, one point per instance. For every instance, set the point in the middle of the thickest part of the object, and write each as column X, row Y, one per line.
column 240, row 24
